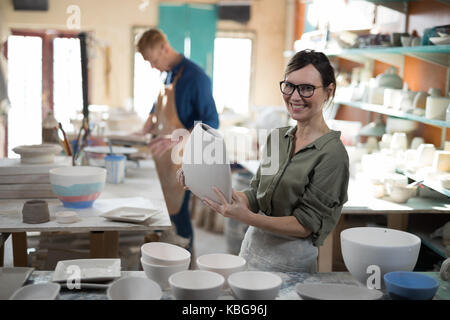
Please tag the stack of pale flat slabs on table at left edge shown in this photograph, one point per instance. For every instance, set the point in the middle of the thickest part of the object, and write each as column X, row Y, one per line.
column 20, row 180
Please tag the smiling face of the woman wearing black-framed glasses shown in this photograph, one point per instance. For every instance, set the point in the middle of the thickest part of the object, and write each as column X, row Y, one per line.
column 304, row 109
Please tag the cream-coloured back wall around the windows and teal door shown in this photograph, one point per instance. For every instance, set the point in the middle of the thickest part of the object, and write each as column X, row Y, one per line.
column 112, row 22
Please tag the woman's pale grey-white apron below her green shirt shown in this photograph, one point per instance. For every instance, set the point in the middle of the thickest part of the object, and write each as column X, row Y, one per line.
column 266, row 251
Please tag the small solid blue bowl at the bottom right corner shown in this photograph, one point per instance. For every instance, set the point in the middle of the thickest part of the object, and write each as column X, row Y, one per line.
column 410, row 285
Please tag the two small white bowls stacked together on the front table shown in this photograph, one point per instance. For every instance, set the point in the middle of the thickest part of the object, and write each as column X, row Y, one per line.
column 160, row 260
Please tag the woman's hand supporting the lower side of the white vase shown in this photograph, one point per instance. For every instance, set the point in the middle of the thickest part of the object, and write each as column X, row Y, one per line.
column 237, row 209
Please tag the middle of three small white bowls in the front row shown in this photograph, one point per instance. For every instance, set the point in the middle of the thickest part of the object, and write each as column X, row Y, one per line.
column 196, row 285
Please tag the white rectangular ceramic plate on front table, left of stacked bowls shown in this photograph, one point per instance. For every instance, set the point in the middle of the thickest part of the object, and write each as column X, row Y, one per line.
column 87, row 270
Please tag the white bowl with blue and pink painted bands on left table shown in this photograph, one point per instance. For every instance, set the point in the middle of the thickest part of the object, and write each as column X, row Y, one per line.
column 77, row 187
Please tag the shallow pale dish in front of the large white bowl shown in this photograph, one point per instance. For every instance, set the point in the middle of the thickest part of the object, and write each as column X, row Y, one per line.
column 332, row 291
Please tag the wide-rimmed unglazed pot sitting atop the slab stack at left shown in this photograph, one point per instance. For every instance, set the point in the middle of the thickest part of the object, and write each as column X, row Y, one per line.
column 38, row 153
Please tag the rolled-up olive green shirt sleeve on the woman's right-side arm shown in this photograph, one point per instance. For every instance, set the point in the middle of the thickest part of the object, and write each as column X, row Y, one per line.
column 321, row 204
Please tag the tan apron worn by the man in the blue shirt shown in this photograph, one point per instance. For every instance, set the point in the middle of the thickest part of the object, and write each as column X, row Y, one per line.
column 167, row 121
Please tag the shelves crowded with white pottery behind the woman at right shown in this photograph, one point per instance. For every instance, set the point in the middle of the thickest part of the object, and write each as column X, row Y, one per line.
column 399, row 155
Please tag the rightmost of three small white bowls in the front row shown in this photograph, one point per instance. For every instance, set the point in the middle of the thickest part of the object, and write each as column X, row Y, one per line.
column 255, row 285
